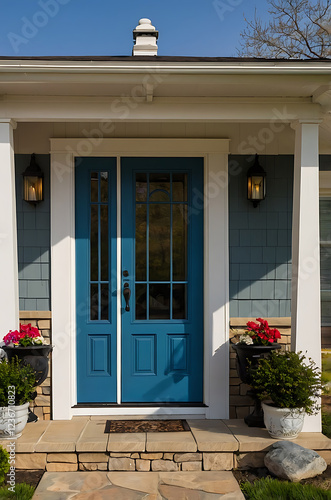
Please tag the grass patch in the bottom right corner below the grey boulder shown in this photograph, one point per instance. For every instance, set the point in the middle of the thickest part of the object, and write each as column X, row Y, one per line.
column 272, row 489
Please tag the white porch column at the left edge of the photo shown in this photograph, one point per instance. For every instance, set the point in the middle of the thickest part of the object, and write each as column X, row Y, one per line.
column 8, row 234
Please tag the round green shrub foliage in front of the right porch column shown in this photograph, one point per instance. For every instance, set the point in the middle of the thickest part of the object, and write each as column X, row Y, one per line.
column 289, row 380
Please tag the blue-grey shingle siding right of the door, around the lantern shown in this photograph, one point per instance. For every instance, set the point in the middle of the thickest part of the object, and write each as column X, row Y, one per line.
column 260, row 240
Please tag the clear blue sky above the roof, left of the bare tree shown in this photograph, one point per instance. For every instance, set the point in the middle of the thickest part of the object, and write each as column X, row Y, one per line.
column 104, row 27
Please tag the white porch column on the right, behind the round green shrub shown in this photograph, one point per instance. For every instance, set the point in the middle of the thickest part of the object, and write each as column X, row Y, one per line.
column 306, row 315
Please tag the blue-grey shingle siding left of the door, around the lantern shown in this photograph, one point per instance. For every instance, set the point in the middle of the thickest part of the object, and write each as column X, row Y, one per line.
column 33, row 239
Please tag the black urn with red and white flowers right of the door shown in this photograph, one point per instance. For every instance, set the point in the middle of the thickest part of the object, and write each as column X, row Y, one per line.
column 257, row 341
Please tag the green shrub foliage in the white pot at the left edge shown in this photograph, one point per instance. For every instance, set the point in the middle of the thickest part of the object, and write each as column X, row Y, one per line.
column 17, row 382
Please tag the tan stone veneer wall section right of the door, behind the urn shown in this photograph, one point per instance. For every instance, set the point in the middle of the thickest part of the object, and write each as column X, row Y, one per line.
column 241, row 404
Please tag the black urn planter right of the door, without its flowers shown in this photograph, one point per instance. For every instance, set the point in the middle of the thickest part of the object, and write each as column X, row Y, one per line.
column 247, row 358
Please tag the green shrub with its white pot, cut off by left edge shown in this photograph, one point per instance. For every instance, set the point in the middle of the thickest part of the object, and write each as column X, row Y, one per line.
column 17, row 382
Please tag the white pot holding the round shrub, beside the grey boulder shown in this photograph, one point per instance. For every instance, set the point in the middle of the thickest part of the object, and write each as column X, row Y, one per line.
column 283, row 423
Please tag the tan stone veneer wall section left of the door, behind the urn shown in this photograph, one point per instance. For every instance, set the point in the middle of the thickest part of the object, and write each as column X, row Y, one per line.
column 42, row 320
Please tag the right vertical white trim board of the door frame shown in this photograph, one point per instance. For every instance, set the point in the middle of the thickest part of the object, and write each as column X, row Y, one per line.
column 216, row 269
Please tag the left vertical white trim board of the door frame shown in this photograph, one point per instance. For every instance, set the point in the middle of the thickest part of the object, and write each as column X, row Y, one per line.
column 63, row 284
